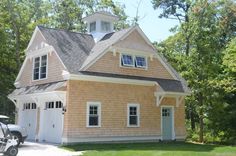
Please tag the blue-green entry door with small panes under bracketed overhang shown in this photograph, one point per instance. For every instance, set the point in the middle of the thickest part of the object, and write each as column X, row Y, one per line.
column 167, row 123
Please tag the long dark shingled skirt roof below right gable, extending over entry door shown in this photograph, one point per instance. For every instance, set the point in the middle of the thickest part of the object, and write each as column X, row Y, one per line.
column 168, row 85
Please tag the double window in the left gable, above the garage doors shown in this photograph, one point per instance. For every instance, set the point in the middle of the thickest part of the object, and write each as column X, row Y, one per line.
column 40, row 67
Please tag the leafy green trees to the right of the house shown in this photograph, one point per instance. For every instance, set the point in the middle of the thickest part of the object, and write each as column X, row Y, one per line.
column 205, row 66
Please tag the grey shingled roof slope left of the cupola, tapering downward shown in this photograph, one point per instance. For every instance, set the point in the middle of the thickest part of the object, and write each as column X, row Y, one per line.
column 73, row 48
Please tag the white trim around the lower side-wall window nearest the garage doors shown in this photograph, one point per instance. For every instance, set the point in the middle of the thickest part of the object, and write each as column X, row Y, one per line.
column 98, row 104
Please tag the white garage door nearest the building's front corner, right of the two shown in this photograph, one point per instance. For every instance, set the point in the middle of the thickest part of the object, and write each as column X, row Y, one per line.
column 53, row 122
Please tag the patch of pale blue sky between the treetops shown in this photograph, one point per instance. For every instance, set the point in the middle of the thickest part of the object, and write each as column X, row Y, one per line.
column 155, row 28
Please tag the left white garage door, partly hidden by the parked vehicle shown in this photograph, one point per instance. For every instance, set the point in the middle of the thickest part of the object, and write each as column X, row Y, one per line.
column 28, row 119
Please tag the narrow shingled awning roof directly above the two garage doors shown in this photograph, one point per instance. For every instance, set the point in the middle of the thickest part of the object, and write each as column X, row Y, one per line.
column 41, row 88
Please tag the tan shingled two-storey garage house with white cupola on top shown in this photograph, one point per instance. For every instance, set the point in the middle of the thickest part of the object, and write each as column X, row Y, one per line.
column 100, row 86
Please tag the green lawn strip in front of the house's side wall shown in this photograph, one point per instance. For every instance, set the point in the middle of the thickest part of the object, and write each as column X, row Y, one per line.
column 153, row 149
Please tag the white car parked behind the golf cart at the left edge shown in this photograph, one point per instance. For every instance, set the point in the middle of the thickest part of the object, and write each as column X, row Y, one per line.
column 19, row 133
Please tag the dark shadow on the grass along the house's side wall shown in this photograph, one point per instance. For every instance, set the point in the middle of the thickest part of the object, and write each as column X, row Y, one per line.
column 170, row 146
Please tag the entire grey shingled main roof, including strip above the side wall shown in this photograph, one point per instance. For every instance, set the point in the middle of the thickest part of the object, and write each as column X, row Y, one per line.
column 77, row 50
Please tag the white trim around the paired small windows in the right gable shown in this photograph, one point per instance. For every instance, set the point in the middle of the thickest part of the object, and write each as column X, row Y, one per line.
column 134, row 61
